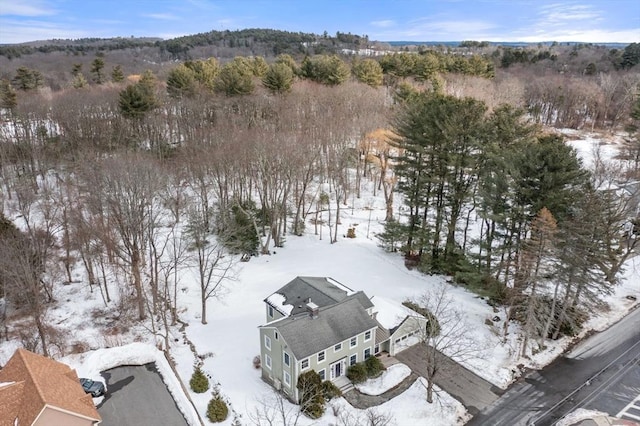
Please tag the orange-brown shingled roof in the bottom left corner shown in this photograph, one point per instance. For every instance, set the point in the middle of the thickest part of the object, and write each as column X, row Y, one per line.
column 42, row 382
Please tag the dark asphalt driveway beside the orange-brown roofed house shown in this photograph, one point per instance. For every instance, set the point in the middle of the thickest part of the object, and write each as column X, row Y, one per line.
column 137, row 396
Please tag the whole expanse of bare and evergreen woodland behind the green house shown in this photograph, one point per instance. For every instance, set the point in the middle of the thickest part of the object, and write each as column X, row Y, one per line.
column 128, row 170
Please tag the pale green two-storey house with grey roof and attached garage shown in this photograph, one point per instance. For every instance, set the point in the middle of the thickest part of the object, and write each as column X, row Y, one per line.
column 317, row 323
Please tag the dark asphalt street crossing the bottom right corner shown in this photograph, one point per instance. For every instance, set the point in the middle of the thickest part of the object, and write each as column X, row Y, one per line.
column 599, row 373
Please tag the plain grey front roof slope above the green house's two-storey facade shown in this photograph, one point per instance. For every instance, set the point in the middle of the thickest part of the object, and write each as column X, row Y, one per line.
column 333, row 324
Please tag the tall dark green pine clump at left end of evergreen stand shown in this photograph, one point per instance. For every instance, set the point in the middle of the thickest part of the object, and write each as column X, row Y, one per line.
column 439, row 137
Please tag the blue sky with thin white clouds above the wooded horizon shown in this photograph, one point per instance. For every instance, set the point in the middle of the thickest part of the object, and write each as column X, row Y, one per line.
column 590, row 21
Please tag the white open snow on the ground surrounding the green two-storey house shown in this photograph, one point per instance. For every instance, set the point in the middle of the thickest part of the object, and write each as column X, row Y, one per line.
column 229, row 342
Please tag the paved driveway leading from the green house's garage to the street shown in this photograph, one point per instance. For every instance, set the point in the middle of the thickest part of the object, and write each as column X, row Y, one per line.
column 471, row 390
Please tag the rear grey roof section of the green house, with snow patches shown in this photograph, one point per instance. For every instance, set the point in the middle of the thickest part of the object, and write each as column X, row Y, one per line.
column 293, row 297
